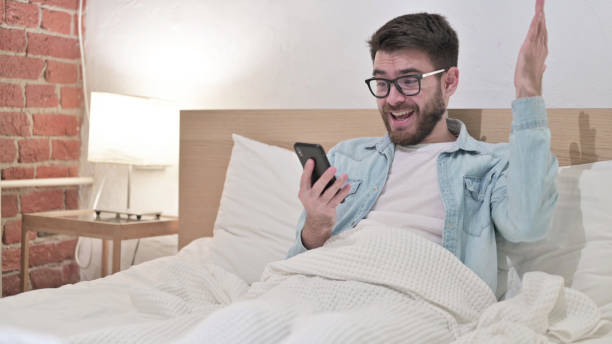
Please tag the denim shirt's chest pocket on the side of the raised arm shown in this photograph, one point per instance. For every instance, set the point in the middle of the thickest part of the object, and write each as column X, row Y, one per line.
column 476, row 215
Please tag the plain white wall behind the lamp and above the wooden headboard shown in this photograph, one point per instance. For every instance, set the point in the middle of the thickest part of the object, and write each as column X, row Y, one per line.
column 313, row 54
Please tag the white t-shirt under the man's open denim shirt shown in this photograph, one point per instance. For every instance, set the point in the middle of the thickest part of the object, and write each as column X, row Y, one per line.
column 411, row 196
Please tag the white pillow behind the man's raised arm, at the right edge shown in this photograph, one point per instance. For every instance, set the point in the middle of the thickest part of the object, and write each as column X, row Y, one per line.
column 579, row 244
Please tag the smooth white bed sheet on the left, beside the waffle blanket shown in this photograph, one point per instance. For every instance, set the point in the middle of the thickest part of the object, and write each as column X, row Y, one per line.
column 174, row 292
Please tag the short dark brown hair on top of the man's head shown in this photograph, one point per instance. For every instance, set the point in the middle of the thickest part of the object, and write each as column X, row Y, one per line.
column 430, row 33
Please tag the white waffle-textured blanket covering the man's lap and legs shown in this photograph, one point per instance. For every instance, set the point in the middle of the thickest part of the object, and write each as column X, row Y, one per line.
column 385, row 285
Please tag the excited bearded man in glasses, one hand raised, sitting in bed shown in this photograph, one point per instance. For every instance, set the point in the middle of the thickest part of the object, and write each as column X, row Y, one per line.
column 427, row 174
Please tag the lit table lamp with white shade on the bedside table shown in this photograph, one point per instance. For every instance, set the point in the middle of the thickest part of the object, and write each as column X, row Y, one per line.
column 133, row 131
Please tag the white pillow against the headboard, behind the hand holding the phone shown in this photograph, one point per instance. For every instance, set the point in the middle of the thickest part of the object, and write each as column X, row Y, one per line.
column 259, row 208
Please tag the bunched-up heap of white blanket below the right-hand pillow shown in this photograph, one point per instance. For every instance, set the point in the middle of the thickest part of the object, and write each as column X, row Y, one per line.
column 543, row 311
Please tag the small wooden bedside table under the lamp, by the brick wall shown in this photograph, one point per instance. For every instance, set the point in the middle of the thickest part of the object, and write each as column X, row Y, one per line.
column 85, row 223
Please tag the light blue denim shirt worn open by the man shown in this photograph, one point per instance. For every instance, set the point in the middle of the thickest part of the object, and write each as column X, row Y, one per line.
column 505, row 189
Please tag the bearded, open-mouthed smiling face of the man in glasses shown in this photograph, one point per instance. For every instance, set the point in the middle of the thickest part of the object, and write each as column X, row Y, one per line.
column 409, row 119
